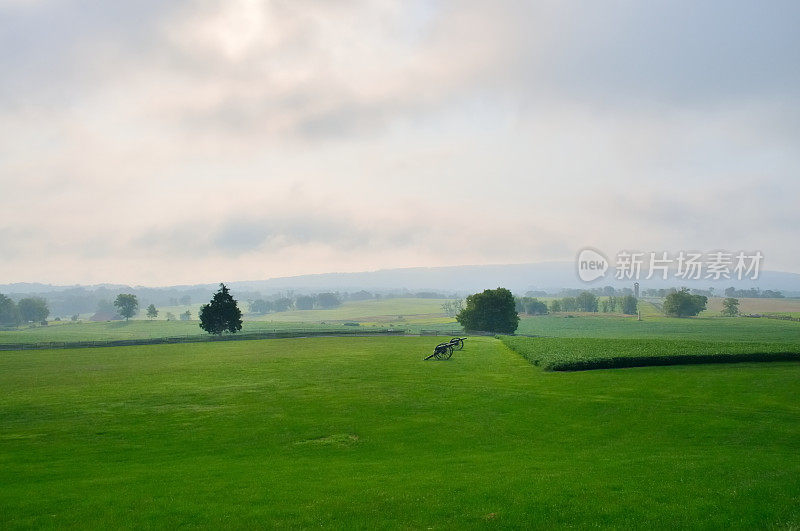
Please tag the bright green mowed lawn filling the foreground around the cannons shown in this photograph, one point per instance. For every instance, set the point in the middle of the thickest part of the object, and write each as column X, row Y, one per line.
column 361, row 433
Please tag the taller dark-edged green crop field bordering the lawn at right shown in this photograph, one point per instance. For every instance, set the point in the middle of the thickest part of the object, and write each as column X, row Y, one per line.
column 561, row 354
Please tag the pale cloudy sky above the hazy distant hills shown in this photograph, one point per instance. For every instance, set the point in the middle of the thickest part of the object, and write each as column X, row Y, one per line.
column 158, row 143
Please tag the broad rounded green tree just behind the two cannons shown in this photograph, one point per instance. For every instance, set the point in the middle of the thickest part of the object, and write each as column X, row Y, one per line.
column 492, row 311
